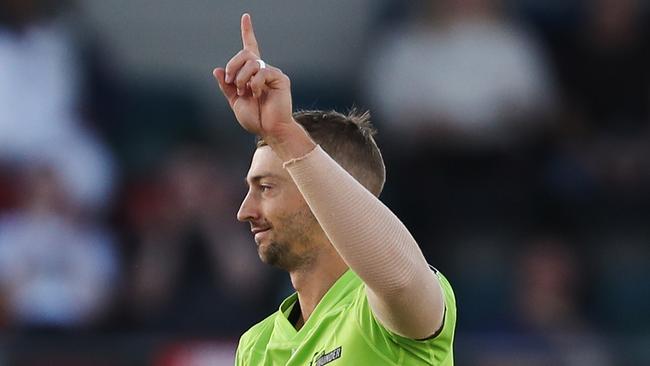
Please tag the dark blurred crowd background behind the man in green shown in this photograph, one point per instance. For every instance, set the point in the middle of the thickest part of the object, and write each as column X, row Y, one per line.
column 516, row 136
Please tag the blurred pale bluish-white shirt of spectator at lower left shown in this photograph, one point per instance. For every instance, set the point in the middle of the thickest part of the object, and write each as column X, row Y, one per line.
column 53, row 271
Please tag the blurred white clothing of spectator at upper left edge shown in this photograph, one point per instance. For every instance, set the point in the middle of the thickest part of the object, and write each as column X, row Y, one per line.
column 39, row 113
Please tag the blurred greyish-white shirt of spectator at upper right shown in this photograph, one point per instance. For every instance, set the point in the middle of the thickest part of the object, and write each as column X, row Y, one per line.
column 474, row 75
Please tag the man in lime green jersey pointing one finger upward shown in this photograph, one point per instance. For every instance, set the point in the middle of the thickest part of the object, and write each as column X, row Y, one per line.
column 365, row 295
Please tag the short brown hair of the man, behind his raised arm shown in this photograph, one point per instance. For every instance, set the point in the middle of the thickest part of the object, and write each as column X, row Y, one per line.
column 348, row 139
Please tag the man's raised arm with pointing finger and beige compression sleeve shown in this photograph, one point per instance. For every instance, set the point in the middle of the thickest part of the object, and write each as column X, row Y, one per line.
column 404, row 293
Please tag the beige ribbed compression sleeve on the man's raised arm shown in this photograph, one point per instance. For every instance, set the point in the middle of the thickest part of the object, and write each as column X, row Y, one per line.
column 403, row 291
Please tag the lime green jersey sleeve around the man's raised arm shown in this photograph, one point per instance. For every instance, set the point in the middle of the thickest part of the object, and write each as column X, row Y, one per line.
column 436, row 350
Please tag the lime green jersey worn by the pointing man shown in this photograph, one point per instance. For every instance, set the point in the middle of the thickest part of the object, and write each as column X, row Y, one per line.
column 342, row 330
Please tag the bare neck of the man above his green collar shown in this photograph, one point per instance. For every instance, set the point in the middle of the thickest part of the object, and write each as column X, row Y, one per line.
column 312, row 283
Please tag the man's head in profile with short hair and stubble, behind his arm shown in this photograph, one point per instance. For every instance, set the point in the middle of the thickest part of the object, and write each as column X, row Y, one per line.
column 286, row 232
